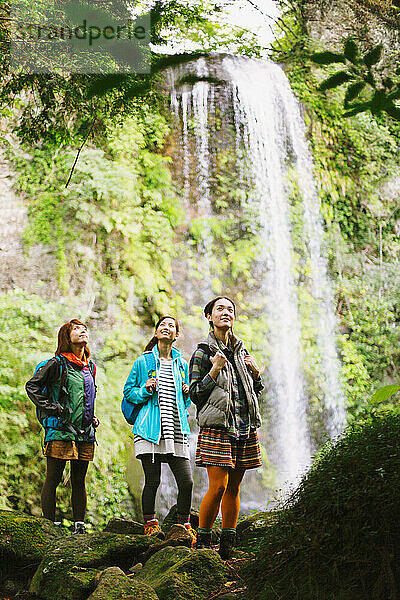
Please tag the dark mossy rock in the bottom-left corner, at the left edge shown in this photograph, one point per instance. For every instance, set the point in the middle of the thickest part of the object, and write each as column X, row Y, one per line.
column 23, row 541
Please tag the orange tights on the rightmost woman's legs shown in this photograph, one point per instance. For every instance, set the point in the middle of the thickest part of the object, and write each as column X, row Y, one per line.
column 223, row 490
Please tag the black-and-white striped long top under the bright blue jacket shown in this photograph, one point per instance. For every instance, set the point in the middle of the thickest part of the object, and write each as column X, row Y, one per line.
column 172, row 440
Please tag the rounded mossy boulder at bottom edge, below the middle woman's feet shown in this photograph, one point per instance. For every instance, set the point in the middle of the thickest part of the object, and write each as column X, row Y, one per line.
column 184, row 574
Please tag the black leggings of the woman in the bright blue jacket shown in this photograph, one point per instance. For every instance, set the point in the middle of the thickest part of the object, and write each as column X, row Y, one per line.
column 180, row 467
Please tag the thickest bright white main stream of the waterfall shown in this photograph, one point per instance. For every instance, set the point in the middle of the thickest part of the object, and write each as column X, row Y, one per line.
column 256, row 94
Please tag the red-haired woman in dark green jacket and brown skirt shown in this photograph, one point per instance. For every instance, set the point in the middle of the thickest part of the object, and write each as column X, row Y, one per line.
column 63, row 390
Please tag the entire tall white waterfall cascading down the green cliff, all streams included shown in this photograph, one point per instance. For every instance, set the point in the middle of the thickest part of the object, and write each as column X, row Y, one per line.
column 263, row 119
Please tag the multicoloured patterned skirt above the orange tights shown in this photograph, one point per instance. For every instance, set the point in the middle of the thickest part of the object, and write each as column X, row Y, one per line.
column 215, row 448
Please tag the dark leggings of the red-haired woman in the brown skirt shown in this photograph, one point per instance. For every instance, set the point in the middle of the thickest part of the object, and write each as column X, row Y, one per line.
column 55, row 470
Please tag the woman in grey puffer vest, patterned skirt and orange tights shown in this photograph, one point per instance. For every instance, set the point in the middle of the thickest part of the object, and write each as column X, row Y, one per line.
column 224, row 385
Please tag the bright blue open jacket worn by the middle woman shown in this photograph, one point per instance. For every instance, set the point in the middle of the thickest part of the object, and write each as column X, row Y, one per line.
column 148, row 421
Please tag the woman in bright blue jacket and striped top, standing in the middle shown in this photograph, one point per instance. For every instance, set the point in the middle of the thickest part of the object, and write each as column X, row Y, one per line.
column 158, row 383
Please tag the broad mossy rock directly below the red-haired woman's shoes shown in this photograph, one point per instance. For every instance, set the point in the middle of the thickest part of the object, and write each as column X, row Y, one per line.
column 82, row 554
